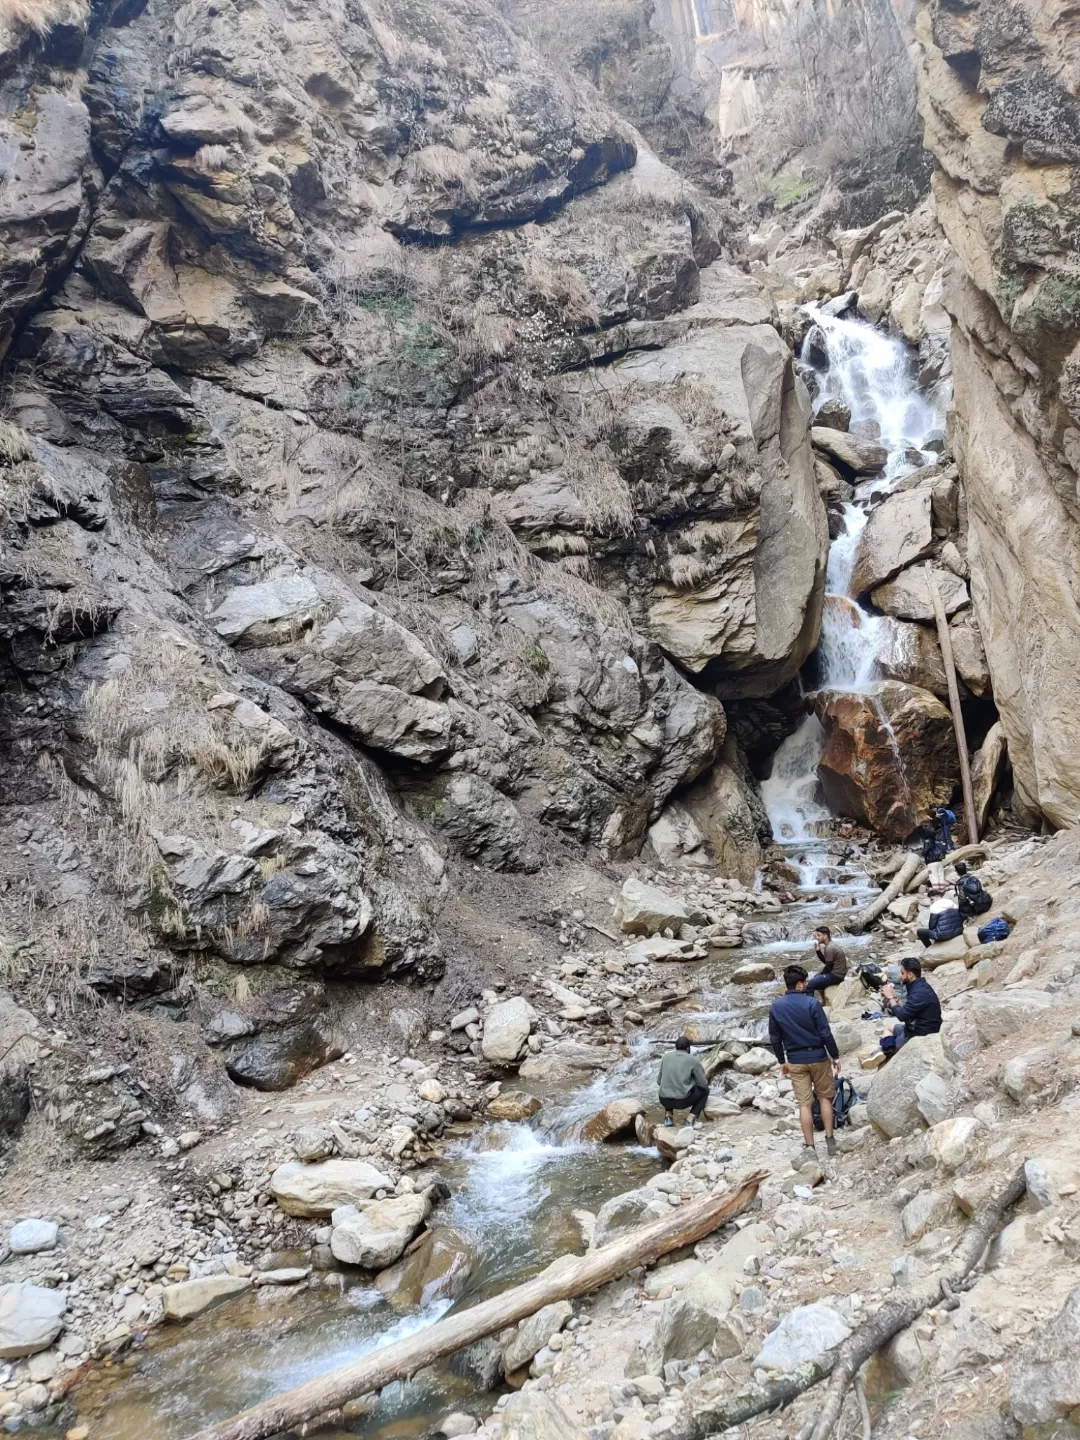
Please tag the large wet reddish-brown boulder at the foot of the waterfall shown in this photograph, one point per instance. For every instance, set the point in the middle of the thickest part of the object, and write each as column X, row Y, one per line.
column 889, row 755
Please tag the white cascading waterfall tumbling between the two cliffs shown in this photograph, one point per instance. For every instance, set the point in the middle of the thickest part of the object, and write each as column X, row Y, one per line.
column 873, row 375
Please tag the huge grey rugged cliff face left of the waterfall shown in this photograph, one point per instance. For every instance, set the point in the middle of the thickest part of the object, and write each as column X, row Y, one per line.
column 395, row 473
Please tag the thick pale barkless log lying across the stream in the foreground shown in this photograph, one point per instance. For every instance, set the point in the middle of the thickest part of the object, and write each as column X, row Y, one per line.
column 562, row 1282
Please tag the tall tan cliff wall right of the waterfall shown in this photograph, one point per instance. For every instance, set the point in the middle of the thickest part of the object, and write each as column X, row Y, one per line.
column 997, row 99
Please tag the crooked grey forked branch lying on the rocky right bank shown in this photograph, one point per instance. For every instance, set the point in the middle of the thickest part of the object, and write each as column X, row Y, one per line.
column 709, row 1413
